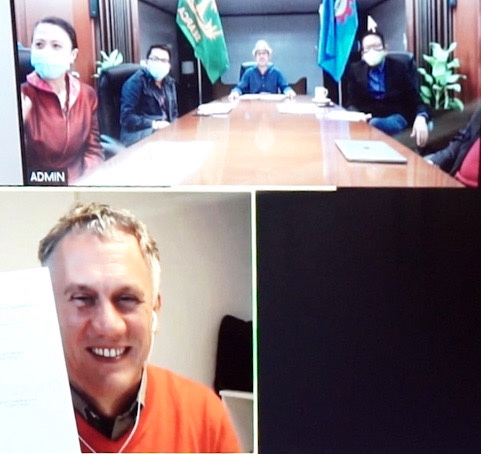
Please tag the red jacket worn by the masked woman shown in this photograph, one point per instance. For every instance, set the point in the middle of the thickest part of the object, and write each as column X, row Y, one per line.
column 58, row 140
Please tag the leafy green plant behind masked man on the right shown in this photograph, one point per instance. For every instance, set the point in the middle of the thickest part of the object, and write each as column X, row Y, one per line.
column 441, row 82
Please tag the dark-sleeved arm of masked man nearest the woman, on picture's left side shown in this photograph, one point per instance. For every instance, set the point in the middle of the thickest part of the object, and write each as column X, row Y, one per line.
column 130, row 95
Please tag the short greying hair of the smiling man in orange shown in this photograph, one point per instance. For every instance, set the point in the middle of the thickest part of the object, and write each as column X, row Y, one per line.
column 103, row 221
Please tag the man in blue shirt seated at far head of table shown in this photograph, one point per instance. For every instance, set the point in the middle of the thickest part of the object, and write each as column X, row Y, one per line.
column 262, row 78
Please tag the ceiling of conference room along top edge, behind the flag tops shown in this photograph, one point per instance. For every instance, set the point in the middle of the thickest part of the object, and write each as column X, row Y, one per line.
column 261, row 7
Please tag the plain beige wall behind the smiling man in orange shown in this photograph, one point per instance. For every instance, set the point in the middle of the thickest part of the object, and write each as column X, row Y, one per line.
column 205, row 248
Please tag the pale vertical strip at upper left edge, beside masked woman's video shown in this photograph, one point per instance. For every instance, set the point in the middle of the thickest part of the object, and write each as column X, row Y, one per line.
column 10, row 156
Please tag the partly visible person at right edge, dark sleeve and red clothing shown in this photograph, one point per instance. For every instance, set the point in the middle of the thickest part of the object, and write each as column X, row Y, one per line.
column 461, row 157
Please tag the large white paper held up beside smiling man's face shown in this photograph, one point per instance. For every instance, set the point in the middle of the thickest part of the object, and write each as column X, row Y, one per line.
column 36, row 411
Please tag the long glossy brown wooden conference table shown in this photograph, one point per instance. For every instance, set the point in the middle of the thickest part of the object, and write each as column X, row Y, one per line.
column 257, row 145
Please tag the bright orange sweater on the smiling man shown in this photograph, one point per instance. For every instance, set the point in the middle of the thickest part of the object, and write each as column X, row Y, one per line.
column 180, row 415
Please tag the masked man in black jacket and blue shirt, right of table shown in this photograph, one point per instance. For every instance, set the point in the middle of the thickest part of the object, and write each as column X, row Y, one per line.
column 387, row 89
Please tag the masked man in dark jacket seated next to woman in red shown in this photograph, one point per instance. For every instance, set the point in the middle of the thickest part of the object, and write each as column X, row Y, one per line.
column 148, row 99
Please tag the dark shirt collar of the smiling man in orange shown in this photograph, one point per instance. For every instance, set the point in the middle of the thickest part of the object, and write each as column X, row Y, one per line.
column 112, row 428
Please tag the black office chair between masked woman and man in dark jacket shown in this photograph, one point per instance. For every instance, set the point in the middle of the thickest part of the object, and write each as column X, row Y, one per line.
column 108, row 91
